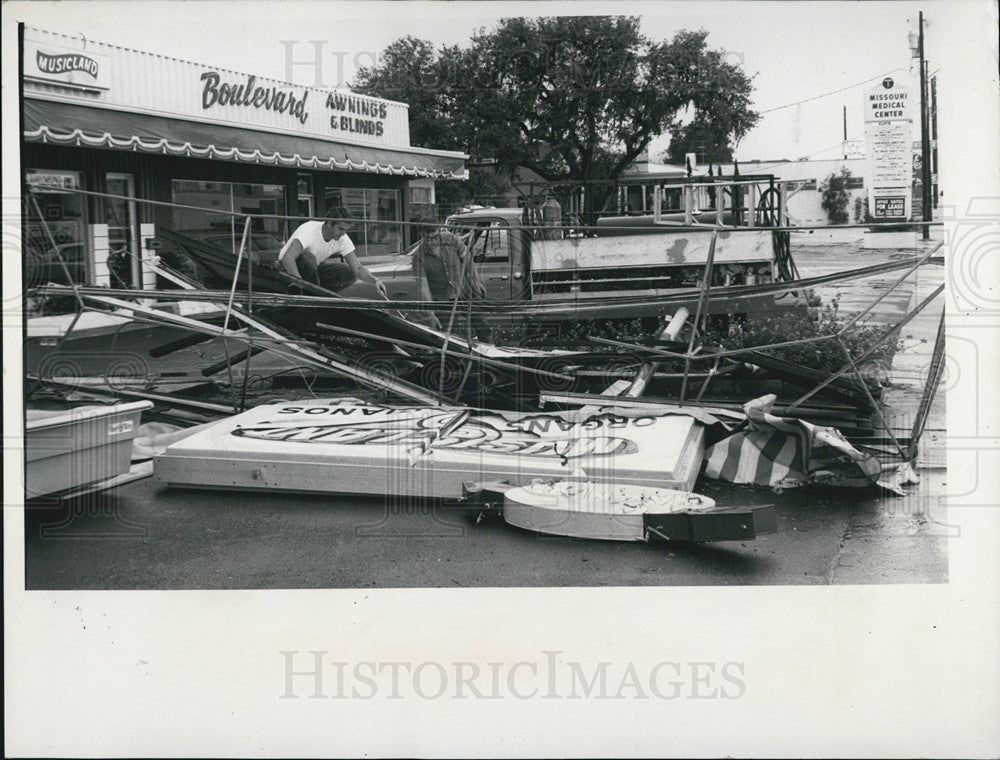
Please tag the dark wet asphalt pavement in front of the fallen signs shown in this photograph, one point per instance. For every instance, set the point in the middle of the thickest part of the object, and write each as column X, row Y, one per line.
column 148, row 536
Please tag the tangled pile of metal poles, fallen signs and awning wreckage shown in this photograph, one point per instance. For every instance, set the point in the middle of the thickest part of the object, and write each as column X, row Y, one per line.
column 604, row 440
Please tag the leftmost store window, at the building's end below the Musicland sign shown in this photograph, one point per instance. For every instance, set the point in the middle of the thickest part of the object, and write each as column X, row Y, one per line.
column 60, row 216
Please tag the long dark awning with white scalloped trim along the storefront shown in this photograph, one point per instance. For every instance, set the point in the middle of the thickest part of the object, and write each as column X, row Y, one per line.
column 57, row 123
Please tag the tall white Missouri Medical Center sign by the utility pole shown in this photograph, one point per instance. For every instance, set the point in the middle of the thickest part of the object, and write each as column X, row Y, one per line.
column 888, row 112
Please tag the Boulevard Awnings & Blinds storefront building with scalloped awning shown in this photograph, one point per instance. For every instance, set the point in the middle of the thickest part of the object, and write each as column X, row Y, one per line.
column 139, row 126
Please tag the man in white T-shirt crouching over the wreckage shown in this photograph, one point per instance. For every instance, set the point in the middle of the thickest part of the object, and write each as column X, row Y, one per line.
column 321, row 252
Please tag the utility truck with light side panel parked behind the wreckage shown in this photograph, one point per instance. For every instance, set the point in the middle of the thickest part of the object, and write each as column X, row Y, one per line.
column 621, row 258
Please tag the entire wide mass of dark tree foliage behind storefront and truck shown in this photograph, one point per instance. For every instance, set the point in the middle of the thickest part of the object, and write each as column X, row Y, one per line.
column 571, row 98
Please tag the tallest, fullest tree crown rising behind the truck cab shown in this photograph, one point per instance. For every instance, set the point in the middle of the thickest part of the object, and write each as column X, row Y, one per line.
column 581, row 97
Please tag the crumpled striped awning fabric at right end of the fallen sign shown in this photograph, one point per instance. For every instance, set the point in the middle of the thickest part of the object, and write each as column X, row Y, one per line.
column 786, row 453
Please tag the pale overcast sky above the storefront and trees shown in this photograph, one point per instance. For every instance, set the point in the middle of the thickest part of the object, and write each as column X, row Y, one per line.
column 823, row 53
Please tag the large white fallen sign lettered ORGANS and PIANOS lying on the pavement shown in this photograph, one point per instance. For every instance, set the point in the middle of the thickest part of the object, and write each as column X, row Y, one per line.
column 346, row 446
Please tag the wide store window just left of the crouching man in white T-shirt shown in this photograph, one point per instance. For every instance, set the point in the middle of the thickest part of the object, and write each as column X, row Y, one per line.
column 208, row 214
